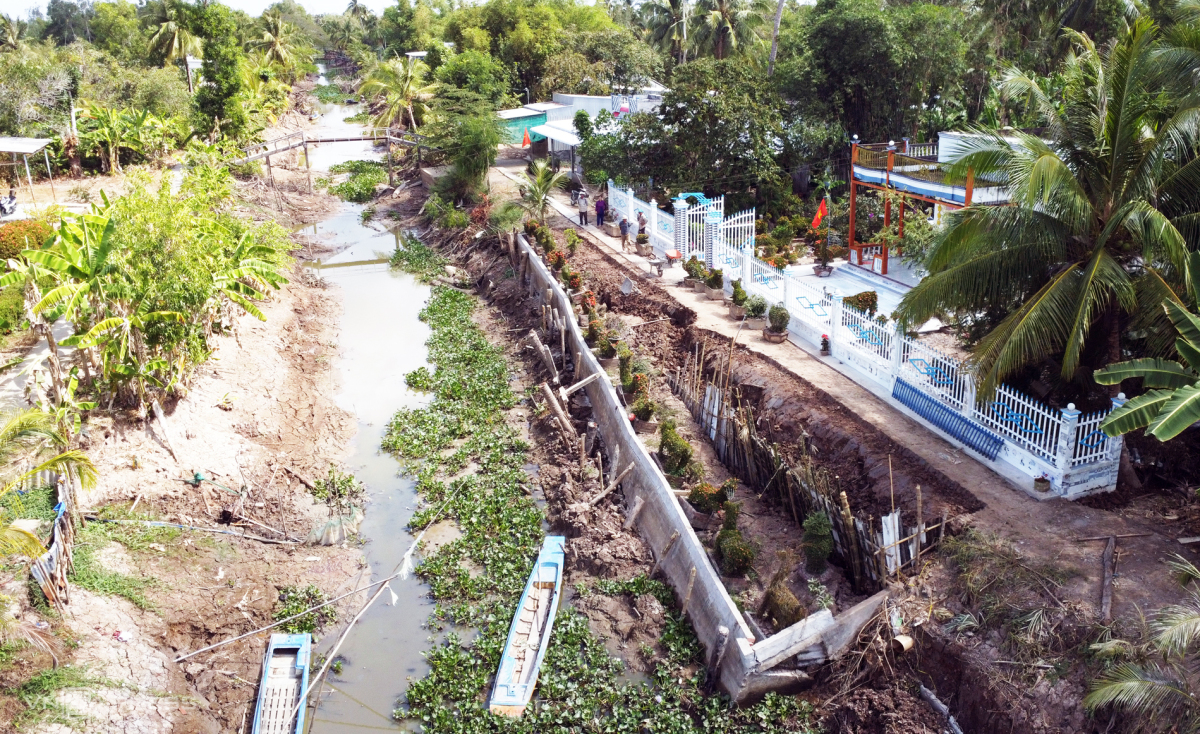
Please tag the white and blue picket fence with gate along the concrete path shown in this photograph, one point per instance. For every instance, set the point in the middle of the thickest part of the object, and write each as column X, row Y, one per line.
column 1016, row 435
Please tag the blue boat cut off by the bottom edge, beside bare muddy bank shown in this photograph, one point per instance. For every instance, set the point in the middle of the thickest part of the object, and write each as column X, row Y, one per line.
column 285, row 678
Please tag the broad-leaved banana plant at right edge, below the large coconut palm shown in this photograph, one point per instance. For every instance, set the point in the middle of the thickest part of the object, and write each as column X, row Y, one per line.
column 1172, row 402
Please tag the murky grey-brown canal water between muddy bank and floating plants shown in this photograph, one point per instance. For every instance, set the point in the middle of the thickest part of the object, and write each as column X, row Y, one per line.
column 381, row 340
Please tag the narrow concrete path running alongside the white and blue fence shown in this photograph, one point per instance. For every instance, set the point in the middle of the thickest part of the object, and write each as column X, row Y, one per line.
column 1046, row 531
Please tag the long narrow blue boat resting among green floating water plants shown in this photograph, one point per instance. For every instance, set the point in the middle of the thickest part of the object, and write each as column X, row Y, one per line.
column 530, row 634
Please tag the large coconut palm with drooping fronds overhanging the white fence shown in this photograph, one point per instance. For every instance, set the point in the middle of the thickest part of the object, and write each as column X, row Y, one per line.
column 1103, row 210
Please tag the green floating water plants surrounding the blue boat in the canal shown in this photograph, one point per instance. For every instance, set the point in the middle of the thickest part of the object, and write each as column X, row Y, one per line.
column 579, row 689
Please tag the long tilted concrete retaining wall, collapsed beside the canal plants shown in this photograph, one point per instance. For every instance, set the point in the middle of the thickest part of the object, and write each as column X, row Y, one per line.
column 743, row 665
